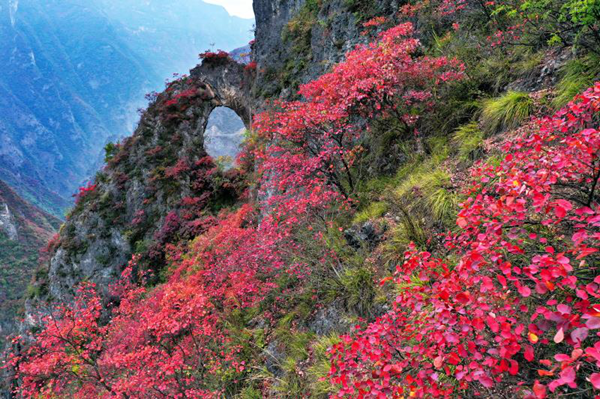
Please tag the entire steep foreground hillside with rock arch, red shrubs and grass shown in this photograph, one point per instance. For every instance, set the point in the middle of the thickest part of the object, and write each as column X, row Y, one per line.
column 415, row 214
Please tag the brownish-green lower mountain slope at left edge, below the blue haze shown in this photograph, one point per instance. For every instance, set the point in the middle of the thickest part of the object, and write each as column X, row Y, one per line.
column 24, row 230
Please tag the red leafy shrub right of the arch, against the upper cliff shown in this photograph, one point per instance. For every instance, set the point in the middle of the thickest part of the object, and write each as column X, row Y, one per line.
column 314, row 142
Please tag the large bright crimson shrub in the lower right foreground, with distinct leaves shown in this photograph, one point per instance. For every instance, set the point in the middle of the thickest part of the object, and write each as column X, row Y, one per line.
column 516, row 306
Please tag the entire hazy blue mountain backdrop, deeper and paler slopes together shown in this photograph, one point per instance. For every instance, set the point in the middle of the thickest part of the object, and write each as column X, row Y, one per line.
column 74, row 72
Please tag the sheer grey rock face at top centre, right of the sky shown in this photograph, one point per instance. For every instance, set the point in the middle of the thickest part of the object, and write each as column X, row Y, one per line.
column 299, row 40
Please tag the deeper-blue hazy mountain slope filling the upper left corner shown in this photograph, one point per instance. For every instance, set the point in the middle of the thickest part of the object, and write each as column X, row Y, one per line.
column 68, row 84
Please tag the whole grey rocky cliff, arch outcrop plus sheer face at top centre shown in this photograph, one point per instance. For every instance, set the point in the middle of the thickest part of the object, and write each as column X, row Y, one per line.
column 152, row 177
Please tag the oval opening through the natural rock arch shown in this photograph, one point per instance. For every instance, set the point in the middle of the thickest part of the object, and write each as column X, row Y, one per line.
column 223, row 136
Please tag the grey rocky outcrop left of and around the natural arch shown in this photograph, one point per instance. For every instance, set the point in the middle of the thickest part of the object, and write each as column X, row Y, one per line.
column 156, row 187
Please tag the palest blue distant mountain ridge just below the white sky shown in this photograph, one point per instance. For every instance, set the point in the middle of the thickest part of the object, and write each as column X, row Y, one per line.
column 170, row 34
